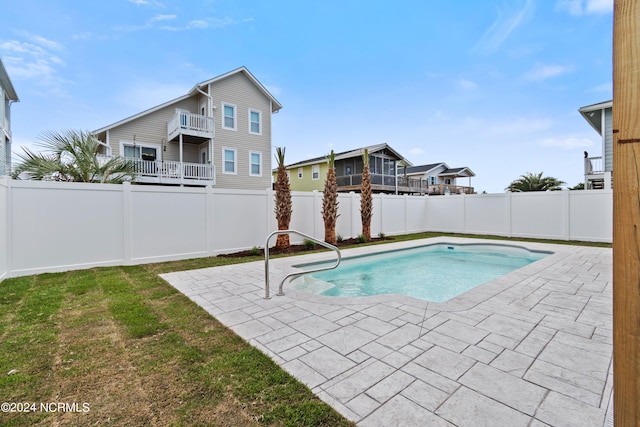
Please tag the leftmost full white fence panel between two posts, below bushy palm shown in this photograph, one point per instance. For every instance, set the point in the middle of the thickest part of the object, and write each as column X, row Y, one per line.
column 62, row 226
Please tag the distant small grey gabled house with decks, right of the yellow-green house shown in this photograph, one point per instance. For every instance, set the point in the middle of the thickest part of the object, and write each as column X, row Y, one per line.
column 438, row 178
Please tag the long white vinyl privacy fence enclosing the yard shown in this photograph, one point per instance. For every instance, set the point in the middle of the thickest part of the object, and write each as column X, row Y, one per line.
column 49, row 226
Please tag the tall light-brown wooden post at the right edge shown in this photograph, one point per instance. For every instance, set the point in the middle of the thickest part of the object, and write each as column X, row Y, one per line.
column 626, row 212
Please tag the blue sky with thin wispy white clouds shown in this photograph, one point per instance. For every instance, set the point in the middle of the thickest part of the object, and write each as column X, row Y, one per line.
column 491, row 84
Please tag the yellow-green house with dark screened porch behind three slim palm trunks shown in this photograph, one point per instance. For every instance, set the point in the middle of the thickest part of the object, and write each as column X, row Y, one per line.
column 309, row 175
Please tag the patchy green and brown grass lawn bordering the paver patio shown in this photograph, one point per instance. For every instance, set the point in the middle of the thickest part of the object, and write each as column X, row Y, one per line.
column 120, row 346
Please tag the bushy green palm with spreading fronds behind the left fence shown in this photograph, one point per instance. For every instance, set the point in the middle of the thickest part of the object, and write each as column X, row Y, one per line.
column 72, row 156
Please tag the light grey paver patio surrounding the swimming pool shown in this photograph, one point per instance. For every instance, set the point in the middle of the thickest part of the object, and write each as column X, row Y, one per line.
column 531, row 348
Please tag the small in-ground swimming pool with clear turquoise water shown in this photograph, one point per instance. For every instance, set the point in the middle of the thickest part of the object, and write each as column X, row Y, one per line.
column 436, row 272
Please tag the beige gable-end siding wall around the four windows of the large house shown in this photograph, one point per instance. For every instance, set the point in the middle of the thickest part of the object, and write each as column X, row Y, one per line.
column 240, row 91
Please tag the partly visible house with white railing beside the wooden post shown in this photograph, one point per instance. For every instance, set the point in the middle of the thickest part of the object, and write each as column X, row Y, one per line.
column 598, row 169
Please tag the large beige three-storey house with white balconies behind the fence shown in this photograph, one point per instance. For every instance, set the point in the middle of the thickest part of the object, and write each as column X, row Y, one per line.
column 219, row 134
